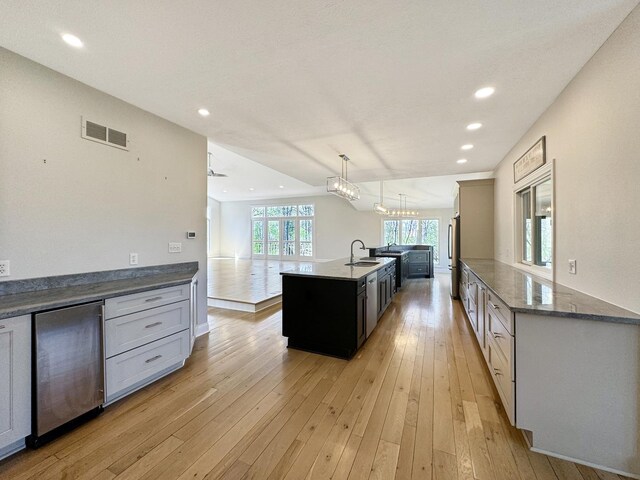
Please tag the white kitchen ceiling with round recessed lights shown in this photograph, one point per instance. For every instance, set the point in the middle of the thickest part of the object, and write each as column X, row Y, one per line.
column 290, row 84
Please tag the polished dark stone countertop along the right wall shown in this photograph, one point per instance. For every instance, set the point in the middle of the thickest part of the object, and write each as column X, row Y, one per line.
column 526, row 293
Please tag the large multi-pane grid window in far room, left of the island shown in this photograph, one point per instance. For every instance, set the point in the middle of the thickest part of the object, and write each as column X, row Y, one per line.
column 282, row 231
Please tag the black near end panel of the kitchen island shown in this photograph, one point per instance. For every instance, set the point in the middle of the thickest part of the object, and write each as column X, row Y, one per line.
column 322, row 315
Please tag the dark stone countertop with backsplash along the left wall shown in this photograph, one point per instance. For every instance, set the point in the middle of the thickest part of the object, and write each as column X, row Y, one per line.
column 22, row 297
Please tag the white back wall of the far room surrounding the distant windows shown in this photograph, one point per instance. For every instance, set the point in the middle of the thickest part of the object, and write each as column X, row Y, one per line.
column 337, row 224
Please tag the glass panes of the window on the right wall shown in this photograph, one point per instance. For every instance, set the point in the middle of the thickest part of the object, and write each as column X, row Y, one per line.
column 535, row 222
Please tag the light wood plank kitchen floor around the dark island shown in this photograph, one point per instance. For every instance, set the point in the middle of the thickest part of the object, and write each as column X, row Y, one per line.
column 416, row 402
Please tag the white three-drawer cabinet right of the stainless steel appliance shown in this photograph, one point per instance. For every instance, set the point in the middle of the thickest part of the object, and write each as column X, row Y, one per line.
column 147, row 336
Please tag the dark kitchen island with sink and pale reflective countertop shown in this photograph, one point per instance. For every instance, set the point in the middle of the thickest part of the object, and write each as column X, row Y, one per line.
column 325, row 308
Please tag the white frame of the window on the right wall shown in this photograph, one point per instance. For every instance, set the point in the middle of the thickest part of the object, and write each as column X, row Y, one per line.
column 529, row 183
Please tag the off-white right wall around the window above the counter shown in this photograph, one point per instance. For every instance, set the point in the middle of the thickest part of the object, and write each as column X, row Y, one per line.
column 592, row 133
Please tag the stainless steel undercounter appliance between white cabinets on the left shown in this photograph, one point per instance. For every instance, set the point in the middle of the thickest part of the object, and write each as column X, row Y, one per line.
column 68, row 369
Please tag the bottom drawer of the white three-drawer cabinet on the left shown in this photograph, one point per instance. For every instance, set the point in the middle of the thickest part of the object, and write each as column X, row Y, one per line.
column 142, row 363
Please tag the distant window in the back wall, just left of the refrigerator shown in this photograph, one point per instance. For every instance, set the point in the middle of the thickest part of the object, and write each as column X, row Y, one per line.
column 424, row 231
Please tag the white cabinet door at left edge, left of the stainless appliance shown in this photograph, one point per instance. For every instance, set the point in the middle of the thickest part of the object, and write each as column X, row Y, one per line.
column 15, row 383
